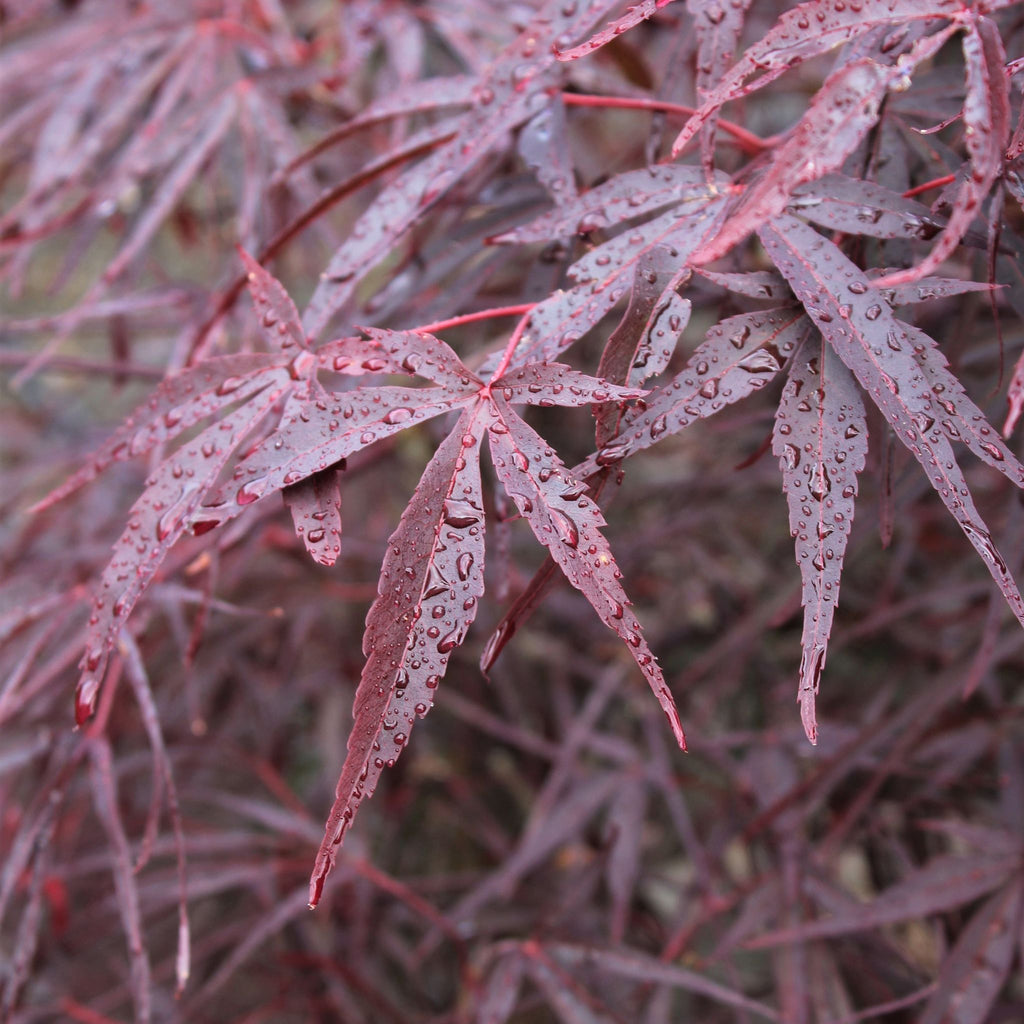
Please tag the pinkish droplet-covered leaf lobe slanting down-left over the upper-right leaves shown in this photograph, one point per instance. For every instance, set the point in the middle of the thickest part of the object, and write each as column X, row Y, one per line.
column 841, row 114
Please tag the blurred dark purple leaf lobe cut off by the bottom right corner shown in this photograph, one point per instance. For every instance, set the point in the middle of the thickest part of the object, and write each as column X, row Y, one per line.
column 973, row 974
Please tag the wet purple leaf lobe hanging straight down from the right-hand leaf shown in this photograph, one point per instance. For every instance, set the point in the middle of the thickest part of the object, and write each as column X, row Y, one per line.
column 821, row 441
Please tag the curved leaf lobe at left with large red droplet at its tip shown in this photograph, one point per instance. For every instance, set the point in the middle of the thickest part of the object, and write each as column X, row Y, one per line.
column 155, row 523
